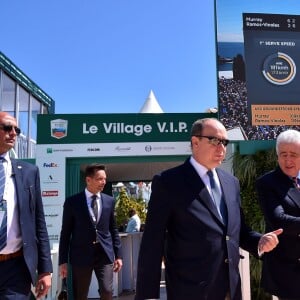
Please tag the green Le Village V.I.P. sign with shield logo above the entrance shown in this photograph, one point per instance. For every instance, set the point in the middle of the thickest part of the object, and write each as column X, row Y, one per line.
column 106, row 128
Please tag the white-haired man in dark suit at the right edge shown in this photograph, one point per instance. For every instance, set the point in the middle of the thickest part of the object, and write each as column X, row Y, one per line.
column 279, row 196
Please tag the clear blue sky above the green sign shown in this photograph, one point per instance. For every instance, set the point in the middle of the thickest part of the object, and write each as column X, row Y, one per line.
column 104, row 56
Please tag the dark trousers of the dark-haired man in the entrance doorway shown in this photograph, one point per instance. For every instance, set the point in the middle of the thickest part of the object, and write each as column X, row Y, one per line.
column 81, row 277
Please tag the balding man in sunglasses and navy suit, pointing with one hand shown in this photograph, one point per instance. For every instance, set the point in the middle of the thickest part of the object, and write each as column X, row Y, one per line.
column 187, row 224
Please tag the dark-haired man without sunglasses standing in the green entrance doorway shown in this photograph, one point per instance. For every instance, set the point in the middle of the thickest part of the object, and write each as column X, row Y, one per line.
column 89, row 237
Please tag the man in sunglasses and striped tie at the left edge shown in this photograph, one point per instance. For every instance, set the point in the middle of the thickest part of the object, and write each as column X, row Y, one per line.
column 25, row 256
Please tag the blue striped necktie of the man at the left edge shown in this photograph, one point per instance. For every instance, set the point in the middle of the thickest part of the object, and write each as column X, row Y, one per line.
column 3, row 207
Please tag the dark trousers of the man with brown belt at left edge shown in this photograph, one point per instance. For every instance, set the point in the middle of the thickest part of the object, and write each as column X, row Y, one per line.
column 15, row 280
